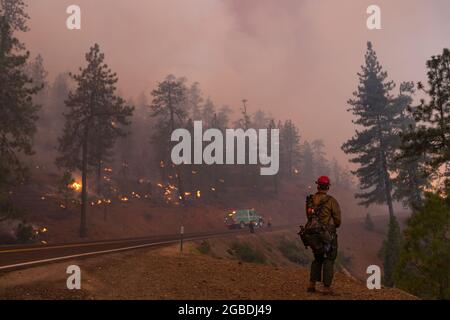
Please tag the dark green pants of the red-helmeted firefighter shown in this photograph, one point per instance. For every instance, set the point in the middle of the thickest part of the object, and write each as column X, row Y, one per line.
column 324, row 263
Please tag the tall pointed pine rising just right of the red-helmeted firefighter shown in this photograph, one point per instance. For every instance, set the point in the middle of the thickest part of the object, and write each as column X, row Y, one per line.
column 375, row 145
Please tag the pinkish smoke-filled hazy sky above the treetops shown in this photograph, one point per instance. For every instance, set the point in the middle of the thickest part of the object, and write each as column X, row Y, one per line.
column 293, row 58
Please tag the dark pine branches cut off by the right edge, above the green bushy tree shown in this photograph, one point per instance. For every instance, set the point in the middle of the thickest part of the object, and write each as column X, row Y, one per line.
column 431, row 135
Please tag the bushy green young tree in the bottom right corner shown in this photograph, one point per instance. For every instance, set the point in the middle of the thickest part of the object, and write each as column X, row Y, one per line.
column 424, row 264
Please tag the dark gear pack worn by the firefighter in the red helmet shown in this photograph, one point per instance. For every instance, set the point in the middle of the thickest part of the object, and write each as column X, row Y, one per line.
column 315, row 234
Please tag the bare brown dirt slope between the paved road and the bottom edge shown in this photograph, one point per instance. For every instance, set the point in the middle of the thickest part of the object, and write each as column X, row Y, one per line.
column 215, row 269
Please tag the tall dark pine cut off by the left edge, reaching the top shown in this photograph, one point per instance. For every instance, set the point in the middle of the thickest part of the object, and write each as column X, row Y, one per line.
column 18, row 112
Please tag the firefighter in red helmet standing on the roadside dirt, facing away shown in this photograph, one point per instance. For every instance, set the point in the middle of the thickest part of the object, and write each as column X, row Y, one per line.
column 322, row 268
